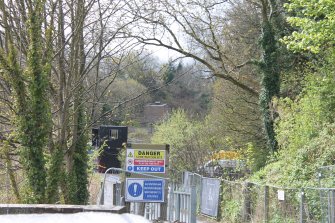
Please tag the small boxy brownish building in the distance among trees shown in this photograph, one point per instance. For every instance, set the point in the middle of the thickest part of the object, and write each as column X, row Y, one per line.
column 155, row 112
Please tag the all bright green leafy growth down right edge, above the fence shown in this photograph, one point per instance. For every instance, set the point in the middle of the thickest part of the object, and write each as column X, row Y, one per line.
column 305, row 126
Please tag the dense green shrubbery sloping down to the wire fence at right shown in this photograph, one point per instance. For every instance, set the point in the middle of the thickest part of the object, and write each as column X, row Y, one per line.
column 305, row 133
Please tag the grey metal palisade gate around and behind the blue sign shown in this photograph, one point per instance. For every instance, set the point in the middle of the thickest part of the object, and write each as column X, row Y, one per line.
column 180, row 204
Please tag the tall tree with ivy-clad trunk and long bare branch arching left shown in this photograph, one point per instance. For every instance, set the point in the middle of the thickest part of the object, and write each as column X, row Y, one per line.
column 207, row 40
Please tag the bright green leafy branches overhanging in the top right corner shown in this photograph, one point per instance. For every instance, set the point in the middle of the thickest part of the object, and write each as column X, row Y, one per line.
column 315, row 21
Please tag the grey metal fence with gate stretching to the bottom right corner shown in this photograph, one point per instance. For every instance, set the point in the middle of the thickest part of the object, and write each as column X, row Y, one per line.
column 240, row 201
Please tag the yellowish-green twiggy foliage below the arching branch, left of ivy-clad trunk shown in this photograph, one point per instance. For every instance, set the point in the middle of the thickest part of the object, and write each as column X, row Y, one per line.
column 234, row 120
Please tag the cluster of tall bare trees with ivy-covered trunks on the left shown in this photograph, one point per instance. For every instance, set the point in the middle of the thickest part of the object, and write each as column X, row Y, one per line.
column 53, row 55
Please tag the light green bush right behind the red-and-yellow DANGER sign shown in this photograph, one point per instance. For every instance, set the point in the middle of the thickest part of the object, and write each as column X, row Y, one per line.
column 184, row 137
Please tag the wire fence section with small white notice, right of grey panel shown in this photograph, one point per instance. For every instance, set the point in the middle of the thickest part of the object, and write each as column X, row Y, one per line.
column 252, row 202
